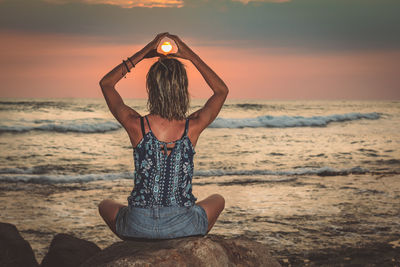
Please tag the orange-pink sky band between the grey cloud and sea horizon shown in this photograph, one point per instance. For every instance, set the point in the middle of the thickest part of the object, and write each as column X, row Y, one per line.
column 60, row 65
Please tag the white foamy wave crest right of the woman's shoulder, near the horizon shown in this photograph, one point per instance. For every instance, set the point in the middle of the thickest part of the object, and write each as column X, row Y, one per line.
column 290, row 121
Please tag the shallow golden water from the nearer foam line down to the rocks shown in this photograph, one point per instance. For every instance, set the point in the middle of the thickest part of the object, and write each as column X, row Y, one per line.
column 304, row 220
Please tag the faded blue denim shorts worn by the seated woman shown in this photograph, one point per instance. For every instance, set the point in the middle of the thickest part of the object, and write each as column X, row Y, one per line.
column 161, row 222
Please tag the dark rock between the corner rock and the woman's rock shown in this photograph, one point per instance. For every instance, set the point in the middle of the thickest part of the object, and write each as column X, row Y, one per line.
column 68, row 251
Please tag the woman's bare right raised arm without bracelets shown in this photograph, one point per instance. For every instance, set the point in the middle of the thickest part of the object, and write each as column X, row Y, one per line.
column 210, row 110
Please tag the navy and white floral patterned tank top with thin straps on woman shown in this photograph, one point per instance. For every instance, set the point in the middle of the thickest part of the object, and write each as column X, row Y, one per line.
column 162, row 180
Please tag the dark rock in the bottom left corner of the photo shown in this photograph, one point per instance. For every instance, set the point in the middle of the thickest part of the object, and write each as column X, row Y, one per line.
column 14, row 249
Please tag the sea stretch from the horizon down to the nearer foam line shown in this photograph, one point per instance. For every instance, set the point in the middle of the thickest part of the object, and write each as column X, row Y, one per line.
column 70, row 140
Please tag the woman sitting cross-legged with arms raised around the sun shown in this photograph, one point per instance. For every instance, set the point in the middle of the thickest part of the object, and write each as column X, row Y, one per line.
column 161, row 204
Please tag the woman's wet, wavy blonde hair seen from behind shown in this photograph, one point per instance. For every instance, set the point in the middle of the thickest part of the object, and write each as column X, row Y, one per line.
column 167, row 87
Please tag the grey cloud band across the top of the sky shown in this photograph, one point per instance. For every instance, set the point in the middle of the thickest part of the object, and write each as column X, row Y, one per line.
column 301, row 24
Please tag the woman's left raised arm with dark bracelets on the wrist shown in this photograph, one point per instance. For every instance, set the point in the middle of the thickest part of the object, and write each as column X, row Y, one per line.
column 114, row 101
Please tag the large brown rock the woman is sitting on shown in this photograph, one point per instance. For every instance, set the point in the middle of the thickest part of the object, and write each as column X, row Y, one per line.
column 211, row 250
